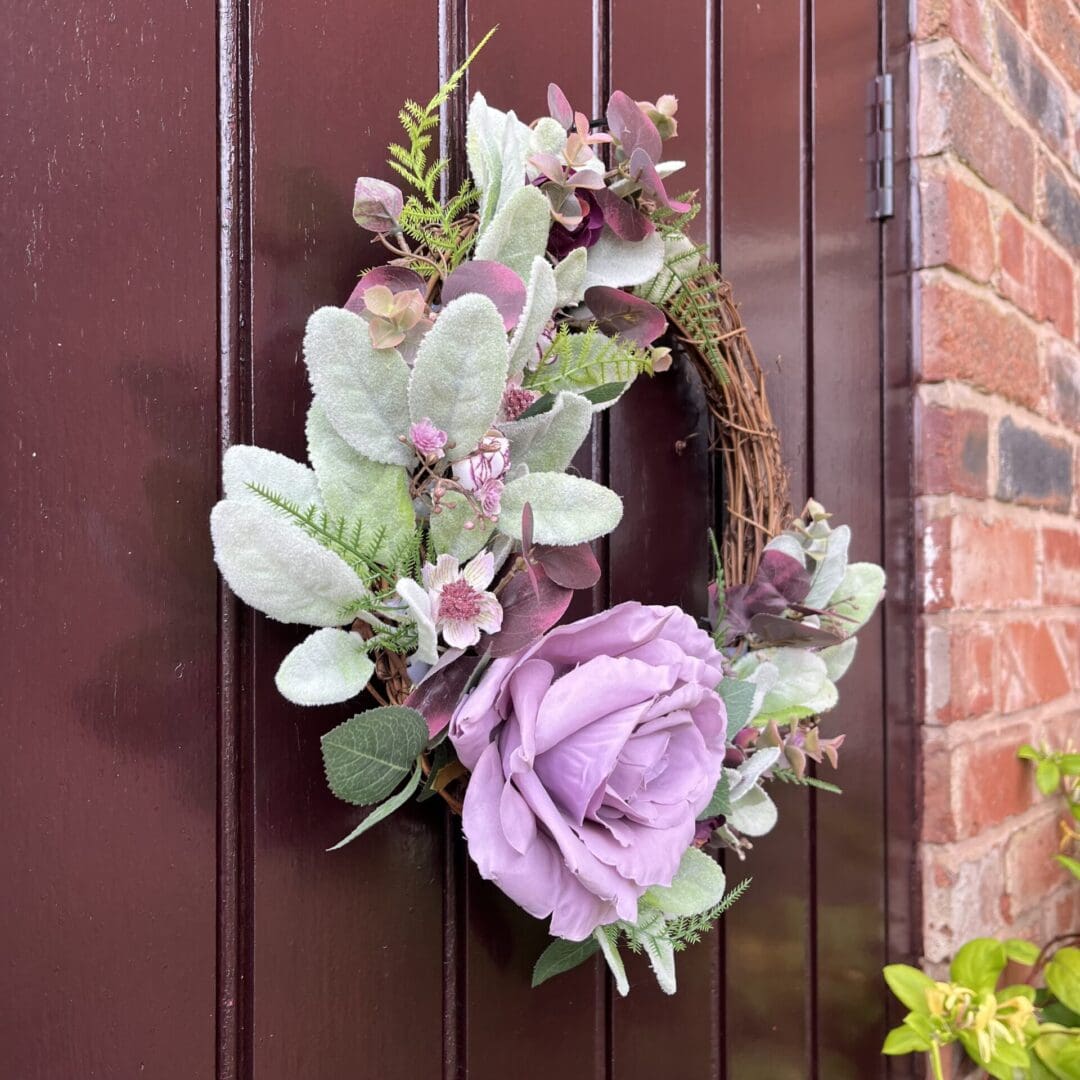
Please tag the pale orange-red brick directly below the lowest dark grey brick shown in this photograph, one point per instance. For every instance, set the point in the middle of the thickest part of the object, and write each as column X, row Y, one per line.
column 993, row 564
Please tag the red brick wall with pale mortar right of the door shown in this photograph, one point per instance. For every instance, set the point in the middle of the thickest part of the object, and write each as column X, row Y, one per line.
column 996, row 138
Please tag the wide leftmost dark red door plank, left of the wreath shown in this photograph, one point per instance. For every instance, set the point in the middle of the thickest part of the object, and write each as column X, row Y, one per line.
column 109, row 413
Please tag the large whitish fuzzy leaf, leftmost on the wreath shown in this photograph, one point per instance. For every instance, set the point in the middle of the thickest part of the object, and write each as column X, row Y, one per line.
column 275, row 566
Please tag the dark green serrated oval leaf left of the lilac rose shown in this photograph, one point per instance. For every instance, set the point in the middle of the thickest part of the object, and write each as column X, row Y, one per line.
column 369, row 755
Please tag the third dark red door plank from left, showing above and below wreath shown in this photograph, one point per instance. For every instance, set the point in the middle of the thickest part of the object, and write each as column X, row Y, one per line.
column 560, row 1029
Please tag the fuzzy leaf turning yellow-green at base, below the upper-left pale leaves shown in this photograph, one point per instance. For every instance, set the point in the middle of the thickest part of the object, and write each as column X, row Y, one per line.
column 356, row 489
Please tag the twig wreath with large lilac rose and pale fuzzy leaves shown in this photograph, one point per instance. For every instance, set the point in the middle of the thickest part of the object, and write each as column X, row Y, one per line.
column 440, row 533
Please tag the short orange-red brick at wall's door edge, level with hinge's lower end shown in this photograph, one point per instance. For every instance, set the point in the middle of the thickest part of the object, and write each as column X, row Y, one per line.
column 956, row 227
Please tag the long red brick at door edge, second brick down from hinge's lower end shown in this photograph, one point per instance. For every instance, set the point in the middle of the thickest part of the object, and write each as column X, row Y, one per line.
column 967, row 337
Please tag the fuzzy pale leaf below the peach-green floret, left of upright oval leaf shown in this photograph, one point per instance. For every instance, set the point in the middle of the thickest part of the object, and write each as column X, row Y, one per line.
column 363, row 389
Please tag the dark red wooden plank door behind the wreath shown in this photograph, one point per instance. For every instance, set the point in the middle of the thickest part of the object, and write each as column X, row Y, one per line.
column 178, row 201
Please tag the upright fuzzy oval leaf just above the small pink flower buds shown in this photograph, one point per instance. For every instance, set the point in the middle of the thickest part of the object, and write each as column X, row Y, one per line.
column 461, row 373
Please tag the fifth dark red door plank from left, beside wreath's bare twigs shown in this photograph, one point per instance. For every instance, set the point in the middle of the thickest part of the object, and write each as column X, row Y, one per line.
column 767, row 935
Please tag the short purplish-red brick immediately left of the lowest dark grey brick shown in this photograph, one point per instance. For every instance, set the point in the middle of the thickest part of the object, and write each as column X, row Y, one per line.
column 952, row 451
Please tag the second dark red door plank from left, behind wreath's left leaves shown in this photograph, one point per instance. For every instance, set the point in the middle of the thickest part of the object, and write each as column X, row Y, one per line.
column 347, row 950
